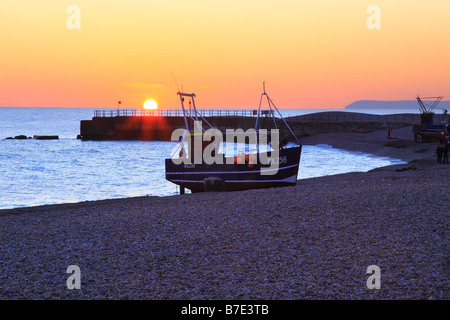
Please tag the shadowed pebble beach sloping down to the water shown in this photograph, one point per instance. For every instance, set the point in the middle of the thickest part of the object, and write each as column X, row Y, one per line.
column 313, row 241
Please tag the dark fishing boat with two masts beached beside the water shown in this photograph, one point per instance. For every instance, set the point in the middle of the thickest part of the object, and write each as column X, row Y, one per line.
column 273, row 164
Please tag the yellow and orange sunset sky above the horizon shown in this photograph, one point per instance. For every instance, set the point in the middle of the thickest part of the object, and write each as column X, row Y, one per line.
column 312, row 54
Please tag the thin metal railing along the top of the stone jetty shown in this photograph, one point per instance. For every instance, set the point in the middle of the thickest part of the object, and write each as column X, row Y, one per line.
column 176, row 113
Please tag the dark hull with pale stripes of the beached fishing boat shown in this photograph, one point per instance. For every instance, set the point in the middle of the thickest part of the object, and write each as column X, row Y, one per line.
column 236, row 176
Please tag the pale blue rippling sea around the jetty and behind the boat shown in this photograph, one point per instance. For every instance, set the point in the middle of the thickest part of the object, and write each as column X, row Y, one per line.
column 67, row 170
